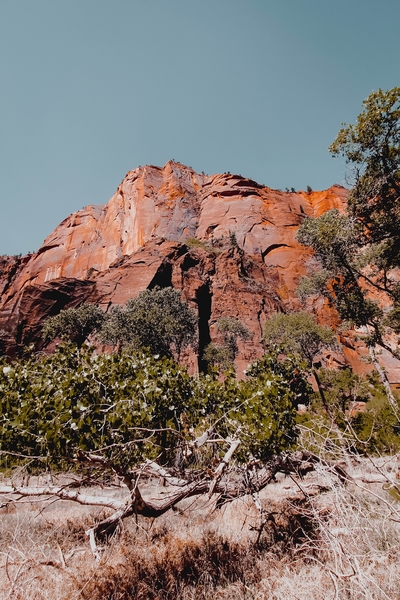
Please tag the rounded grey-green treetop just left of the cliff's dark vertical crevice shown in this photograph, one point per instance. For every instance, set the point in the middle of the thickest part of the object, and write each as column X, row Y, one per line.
column 156, row 319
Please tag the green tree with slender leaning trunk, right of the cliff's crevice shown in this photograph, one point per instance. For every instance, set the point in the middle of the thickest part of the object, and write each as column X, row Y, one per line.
column 299, row 334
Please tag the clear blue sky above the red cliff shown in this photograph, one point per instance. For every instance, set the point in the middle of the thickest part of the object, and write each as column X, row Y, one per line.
column 90, row 89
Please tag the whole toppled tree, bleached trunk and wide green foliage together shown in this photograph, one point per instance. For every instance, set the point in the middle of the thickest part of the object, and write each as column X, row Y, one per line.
column 135, row 415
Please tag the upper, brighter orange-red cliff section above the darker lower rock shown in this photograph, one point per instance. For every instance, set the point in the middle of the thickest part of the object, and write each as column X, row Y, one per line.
column 173, row 204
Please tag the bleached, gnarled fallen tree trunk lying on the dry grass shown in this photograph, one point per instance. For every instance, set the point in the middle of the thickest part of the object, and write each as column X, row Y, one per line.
column 227, row 486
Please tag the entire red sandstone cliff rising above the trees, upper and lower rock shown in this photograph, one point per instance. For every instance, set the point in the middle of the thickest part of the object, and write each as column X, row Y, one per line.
column 227, row 242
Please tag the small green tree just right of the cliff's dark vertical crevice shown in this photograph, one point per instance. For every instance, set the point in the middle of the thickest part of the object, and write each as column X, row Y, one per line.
column 224, row 354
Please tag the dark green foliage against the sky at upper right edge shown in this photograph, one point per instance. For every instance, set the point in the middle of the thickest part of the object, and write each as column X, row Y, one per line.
column 372, row 148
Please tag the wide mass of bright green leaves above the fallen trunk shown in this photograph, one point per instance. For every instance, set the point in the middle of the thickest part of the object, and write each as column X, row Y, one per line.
column 53, row 406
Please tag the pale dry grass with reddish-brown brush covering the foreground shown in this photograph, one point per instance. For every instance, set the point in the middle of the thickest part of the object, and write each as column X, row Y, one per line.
column 342, row 543
